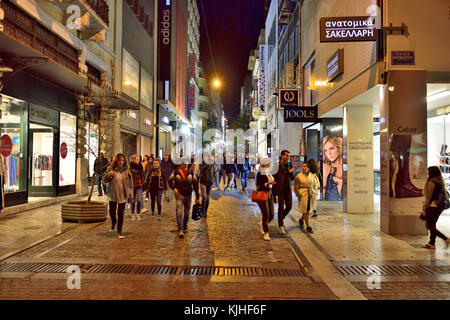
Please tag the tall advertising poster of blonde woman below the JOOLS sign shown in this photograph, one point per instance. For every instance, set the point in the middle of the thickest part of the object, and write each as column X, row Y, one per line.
column 332, row 153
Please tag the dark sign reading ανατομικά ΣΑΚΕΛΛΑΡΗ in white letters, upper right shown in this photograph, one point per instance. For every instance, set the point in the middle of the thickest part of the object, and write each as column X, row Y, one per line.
column 343, row 29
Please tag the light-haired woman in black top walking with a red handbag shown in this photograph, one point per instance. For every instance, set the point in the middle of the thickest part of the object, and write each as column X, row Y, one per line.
column 264, row 182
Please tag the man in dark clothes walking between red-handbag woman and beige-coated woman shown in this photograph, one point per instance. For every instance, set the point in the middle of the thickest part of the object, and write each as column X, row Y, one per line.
column 283, row 178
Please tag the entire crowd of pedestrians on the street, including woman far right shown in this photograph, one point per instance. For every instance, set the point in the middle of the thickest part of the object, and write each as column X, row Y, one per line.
column 151, row 178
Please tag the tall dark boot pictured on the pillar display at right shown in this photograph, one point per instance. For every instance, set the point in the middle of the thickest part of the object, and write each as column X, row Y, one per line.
column 404, row 188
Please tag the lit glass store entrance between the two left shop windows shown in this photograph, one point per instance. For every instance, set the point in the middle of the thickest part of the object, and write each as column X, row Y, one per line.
column 43, row 161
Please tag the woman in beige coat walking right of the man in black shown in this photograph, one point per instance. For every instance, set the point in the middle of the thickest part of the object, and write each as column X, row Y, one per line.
column 302, row 186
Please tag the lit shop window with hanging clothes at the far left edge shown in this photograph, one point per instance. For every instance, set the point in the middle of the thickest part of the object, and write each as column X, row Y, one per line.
column 13, row 125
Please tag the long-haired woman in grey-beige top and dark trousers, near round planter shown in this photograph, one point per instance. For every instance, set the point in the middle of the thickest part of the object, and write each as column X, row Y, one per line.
column 120, row 190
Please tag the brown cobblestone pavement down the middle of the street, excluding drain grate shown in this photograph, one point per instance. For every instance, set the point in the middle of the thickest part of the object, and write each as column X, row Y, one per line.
column 229, row 237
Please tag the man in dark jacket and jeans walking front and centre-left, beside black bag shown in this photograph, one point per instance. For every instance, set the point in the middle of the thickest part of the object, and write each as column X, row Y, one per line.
column 183, row 181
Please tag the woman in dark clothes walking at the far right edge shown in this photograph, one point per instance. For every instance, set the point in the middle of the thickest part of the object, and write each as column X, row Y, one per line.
column 435, row 195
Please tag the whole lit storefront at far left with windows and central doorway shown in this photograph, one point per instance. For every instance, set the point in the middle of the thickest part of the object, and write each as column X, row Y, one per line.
column 39, row 120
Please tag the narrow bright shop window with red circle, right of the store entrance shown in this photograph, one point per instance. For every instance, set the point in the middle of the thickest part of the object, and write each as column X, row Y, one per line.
column 67, row 154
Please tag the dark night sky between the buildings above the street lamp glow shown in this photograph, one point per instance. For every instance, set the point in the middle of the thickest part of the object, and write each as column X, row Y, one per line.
column 234, row 27
